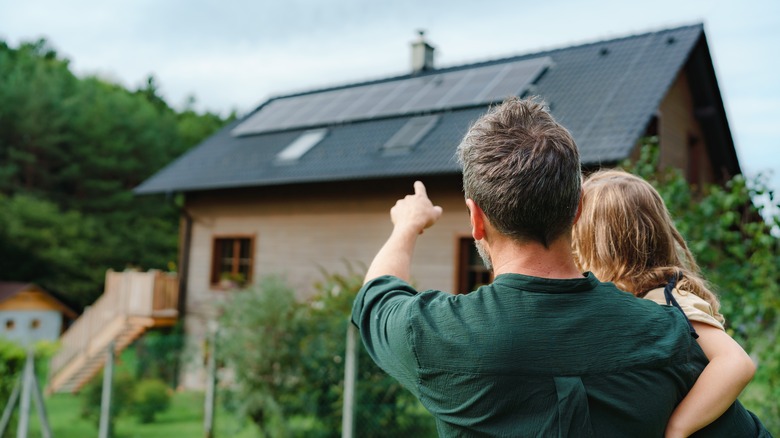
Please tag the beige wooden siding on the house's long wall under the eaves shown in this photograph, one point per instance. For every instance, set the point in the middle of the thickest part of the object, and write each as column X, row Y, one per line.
column 299, row 231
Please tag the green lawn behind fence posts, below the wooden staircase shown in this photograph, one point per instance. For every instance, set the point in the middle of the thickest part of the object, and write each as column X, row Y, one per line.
column 183, row 419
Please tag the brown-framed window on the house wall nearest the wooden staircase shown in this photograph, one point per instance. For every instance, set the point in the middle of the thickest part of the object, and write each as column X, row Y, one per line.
column 232, row 261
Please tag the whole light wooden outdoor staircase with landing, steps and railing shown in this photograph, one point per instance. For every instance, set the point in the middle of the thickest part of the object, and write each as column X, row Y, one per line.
column 132, row 303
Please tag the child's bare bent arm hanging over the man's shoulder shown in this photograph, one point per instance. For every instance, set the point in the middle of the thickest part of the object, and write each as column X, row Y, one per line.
column 720, row 383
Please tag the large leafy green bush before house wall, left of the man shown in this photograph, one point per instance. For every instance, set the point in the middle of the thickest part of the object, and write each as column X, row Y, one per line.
column 288, row 357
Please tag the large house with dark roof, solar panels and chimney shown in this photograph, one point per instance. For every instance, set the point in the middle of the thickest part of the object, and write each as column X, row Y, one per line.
column 305, row 182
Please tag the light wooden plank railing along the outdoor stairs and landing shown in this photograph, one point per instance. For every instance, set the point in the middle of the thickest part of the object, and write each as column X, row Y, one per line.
column 151, row 294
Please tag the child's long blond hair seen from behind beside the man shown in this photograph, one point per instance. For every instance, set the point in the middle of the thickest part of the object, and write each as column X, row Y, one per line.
column 625, row 235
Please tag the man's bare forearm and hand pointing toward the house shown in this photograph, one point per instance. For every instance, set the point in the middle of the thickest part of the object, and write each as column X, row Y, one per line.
column 410, row 217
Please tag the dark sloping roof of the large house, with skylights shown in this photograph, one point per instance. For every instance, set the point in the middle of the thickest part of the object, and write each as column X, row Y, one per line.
column 605, row 93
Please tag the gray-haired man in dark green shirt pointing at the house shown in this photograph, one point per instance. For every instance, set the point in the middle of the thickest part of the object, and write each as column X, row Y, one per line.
column 544, row 350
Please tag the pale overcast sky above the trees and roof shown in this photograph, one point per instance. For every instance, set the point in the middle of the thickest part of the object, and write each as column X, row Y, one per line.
column 232, row 55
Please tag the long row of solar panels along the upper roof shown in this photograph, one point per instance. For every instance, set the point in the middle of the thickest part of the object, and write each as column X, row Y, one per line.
column 434, row 92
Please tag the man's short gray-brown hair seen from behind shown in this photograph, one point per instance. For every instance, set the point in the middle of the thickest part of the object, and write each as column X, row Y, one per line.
column 522, row 168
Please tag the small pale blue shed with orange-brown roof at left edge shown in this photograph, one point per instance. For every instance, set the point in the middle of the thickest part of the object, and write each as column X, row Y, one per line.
column 29, row 314
